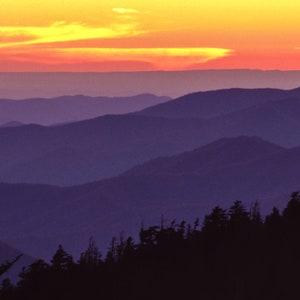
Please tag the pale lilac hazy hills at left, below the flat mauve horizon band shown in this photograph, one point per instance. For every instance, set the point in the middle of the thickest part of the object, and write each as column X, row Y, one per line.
column 67, row 109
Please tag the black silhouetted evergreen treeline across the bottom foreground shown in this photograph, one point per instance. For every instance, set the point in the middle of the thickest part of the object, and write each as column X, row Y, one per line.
column 234, row 254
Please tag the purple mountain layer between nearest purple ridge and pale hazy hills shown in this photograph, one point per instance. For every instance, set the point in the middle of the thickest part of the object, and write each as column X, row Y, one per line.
column 106, row 146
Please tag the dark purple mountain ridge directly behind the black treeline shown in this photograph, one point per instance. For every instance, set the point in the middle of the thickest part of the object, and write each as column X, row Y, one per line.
column 36, row 218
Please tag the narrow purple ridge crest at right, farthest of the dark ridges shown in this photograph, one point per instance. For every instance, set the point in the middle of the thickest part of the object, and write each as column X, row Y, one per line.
column 210, row 104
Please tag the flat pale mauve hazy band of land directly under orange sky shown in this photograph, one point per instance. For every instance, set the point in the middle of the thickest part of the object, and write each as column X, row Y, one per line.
column 120, row 84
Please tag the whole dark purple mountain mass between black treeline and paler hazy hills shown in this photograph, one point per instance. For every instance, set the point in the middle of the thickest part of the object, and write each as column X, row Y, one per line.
column 102, row 176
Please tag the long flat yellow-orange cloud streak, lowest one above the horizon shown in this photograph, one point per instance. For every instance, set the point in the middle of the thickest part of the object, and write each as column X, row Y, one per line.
column 112, row 59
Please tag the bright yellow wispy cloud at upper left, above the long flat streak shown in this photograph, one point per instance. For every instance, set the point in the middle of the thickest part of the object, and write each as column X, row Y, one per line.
column 62, row 32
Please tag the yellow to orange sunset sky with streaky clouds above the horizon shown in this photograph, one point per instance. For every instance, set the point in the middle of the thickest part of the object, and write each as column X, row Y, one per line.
column 131, row 35
